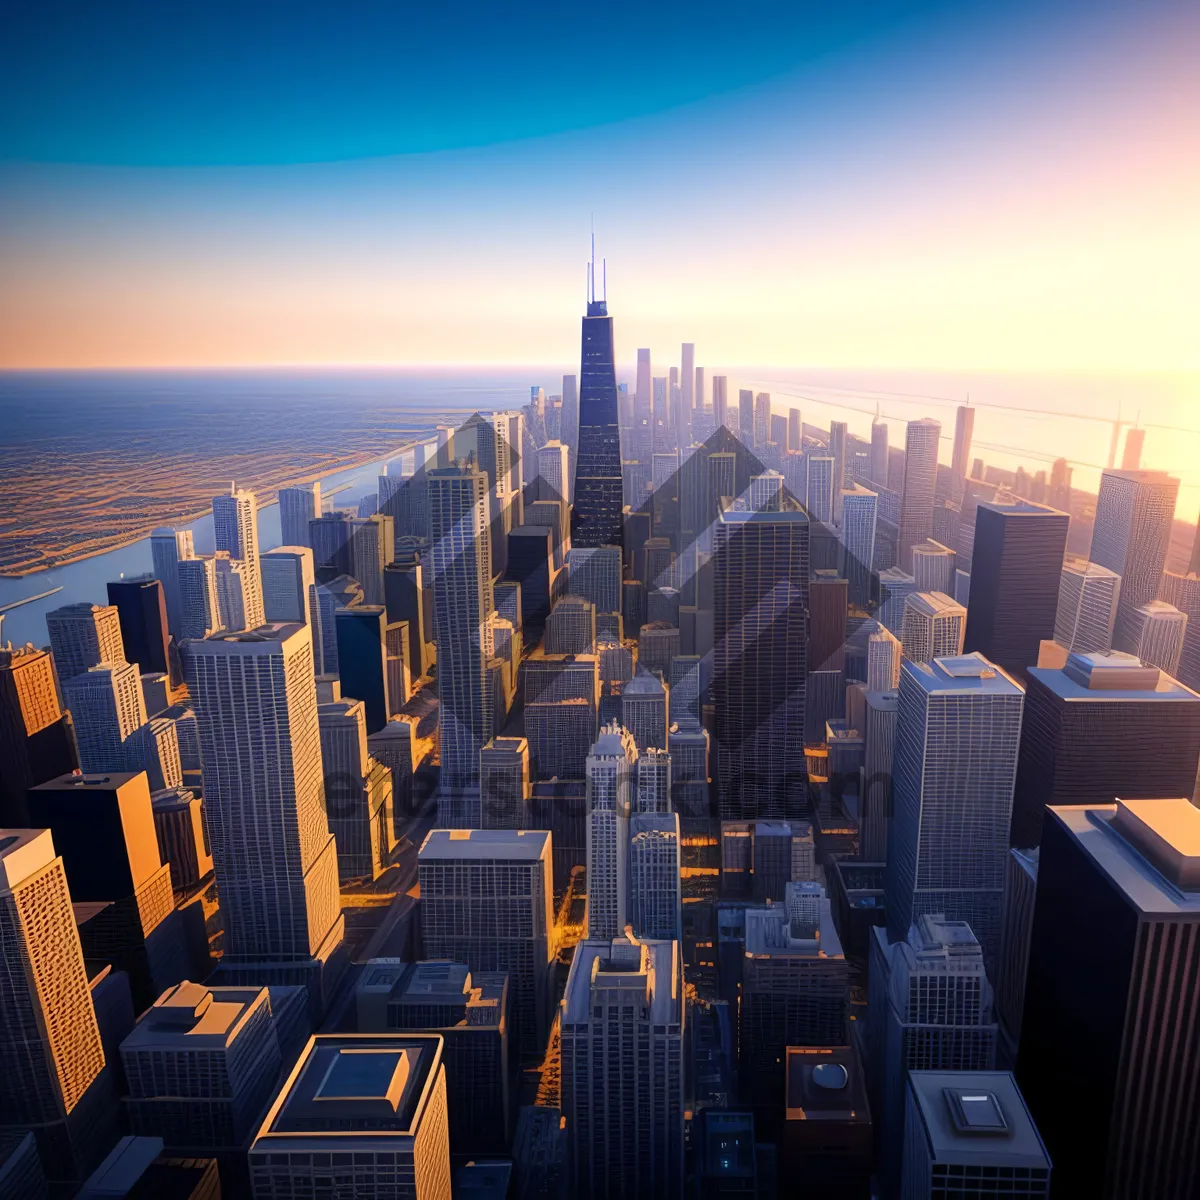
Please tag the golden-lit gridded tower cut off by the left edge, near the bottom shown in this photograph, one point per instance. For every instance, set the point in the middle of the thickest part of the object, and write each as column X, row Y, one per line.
column 51, row 1053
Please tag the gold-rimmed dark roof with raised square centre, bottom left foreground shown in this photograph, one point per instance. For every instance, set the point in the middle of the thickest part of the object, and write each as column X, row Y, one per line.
column 349, row 1090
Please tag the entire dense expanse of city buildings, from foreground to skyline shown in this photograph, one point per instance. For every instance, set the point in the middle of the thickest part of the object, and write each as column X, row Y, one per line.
column 644, row 793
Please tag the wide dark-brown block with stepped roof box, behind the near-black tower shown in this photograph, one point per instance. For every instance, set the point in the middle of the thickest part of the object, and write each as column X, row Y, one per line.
column 1101, row 728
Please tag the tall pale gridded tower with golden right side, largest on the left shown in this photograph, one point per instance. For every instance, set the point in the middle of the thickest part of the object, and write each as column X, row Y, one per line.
column 277, row 862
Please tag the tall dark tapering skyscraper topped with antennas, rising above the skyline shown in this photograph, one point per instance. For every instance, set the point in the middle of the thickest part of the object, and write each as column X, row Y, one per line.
column 596, row 518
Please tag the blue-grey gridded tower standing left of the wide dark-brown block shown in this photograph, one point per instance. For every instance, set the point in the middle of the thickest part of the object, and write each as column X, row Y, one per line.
column 958, row 735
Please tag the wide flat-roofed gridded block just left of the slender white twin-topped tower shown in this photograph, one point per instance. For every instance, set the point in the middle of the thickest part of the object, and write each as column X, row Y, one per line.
column 487, row 898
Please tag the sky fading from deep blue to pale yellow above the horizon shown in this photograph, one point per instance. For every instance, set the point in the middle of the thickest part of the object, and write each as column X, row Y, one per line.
column 869, row 185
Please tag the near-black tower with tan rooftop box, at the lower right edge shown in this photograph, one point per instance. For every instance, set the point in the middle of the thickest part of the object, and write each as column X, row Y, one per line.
column 1115, row 917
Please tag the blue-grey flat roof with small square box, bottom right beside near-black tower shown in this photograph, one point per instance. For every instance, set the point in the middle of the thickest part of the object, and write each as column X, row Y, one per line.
column 976, row 1117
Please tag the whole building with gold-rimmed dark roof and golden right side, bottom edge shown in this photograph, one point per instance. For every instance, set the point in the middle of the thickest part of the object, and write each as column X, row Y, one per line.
column 363, row 1115
